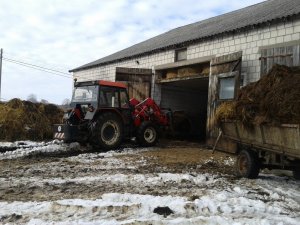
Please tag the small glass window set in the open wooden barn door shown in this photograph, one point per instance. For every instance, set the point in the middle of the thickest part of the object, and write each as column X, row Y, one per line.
column 226, row 88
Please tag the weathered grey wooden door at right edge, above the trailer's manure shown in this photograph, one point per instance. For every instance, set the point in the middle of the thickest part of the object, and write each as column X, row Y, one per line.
column 282, row 55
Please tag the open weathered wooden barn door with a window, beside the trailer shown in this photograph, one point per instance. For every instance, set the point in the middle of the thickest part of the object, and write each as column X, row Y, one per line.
column 224, row 82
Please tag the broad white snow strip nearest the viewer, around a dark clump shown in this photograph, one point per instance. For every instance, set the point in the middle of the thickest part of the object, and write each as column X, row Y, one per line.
column 224, row 207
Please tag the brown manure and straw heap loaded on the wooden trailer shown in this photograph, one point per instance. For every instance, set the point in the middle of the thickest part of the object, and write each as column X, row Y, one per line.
column 275, row 99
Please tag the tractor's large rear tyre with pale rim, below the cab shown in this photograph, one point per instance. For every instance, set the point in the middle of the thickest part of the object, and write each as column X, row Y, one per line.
column 108, row 132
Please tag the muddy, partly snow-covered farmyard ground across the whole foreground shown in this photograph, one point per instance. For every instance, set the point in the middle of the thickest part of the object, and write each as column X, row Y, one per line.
column 56, row 183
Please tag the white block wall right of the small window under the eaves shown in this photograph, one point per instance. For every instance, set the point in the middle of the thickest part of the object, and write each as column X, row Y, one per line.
column 250, row 42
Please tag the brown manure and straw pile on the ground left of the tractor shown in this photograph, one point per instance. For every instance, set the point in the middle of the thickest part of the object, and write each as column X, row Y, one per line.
column 24, row 120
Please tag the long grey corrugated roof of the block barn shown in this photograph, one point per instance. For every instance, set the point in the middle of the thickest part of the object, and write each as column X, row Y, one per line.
column 240, row 19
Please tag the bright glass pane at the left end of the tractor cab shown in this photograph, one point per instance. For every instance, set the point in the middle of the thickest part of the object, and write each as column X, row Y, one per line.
column 85, row 94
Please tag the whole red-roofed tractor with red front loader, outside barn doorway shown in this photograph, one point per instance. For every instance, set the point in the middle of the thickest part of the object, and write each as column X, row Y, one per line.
column 103, row 116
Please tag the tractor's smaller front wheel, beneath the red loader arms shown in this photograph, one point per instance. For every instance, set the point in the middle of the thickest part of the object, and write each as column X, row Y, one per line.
column 147, row 134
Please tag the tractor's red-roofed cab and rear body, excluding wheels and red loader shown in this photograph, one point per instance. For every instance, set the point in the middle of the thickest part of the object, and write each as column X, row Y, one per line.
column 89, row 101
